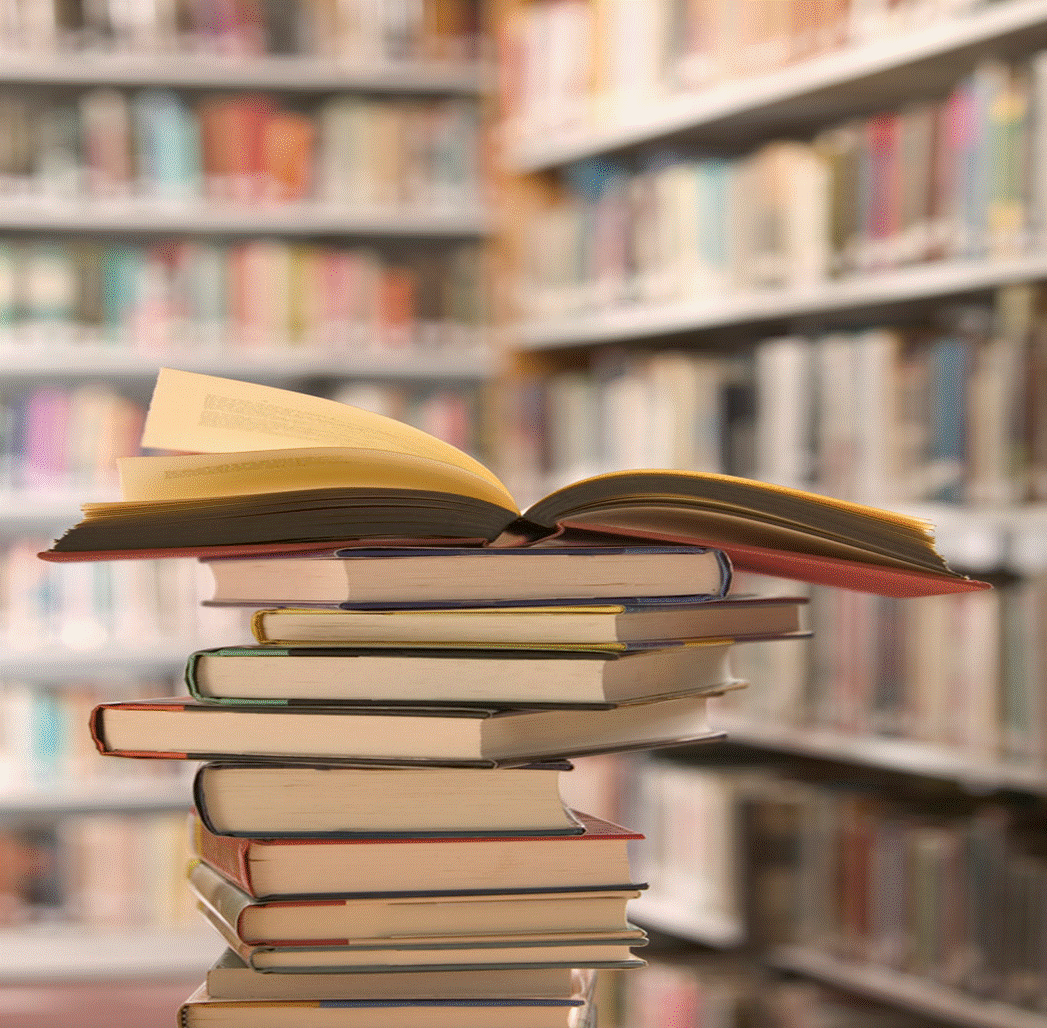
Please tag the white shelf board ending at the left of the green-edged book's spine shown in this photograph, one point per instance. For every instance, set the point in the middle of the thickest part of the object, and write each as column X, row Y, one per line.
column 61, row 665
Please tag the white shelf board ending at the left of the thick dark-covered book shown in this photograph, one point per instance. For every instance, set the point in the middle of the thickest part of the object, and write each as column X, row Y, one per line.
column 100, row 797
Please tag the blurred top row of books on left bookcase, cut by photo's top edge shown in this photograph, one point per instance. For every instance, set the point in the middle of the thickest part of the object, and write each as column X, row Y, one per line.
column 355, row 31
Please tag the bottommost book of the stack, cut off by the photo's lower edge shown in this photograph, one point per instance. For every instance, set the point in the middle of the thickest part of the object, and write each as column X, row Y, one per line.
column 203, row 1011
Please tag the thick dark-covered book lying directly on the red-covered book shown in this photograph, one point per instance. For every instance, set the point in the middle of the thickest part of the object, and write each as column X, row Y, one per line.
column 252, row 799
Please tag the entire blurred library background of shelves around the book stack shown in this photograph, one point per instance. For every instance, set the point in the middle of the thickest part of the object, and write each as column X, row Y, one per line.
column 801, row 240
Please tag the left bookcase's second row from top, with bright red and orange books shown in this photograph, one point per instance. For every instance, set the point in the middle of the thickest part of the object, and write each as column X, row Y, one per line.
column 251, row 148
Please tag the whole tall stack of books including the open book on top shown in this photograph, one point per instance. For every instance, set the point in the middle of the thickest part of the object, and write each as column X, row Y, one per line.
column 378, row 832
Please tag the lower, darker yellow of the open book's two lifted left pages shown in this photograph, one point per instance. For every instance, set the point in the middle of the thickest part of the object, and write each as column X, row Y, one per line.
column 202, row 476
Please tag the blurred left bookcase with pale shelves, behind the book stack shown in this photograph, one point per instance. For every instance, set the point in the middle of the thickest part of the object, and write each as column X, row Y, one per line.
column 408, row 244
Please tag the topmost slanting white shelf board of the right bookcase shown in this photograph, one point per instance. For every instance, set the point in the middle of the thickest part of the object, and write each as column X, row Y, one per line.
column 818, row 92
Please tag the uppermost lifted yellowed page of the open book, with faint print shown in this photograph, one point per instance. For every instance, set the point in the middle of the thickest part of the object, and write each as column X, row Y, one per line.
column 203, row 414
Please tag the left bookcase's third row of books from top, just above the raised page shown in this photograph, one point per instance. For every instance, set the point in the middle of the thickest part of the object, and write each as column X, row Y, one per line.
column 210, row 296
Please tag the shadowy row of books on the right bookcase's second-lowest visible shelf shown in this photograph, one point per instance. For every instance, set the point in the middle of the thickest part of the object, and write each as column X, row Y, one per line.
column 941, row 887
